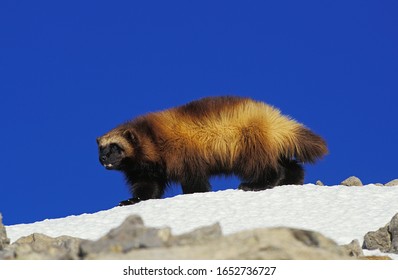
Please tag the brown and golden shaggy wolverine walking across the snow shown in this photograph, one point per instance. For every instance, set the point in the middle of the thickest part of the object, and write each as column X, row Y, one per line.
column 211, row 136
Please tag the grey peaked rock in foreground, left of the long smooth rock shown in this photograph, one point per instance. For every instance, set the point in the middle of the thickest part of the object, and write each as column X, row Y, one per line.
column 131, row 234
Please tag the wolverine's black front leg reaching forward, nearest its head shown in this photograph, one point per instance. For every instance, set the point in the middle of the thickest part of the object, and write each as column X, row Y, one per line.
column 144, row 190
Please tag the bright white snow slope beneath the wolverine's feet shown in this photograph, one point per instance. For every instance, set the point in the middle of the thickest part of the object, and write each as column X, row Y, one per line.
column 339, row 212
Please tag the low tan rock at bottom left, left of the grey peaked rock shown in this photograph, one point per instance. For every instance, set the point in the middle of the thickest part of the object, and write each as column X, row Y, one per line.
column 42, row 247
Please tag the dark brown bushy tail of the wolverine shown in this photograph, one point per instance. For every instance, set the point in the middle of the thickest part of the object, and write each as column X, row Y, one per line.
column 309, row 146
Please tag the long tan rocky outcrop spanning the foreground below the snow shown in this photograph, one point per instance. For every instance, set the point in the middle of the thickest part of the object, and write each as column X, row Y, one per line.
column 133, row 240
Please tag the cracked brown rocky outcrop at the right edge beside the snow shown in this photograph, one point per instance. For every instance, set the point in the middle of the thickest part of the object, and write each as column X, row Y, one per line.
column 385, row 239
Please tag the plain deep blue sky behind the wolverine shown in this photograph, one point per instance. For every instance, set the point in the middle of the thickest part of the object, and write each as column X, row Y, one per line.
column 72, row 70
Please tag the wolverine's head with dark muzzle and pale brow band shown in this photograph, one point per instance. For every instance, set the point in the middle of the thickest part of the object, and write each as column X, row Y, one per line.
column 115, row 148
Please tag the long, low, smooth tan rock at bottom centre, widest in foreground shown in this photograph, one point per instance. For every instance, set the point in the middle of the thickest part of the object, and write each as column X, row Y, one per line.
column 274, row 243
